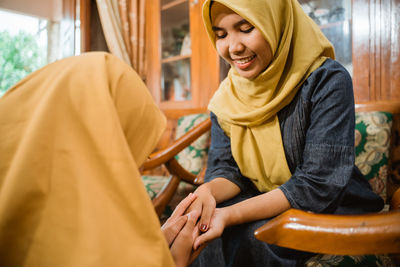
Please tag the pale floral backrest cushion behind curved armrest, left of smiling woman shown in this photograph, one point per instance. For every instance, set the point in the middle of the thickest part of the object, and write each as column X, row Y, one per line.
column 194, row 157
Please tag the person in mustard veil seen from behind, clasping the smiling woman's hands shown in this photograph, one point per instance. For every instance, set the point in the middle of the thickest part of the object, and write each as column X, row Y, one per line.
column 73, row 135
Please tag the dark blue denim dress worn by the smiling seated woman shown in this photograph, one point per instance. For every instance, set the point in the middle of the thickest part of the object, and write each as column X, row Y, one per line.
column 317, row 130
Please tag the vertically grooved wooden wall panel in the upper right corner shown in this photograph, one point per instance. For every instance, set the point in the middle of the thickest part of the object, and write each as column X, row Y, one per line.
column 376, row 56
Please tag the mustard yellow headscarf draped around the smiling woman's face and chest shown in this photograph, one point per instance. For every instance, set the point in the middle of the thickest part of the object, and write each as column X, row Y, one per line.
column 247, row 109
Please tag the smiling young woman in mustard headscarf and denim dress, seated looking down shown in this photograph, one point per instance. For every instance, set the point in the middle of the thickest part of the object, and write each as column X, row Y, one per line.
column 282, row 132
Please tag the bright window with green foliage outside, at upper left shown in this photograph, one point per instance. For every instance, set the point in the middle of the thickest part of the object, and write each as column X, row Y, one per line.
column 27, row 43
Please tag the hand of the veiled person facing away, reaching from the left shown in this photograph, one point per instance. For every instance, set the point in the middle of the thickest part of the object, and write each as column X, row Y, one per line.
column 176, row 222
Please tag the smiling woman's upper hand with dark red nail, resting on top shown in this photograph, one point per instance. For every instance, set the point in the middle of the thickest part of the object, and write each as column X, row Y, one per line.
column 204, row 205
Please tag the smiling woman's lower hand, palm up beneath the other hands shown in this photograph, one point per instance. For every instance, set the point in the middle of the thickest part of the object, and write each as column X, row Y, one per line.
column 219, row 221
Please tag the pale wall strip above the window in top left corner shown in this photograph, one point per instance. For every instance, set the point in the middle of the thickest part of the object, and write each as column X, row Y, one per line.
column 49, row 9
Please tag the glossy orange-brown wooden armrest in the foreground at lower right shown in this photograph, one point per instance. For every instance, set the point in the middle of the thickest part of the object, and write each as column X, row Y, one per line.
column 375, row 233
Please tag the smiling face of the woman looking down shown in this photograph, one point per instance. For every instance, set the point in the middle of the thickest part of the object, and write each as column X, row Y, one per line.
column 239, row 43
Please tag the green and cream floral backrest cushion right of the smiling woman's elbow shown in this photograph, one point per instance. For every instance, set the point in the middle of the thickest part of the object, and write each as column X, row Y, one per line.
column 372, row 142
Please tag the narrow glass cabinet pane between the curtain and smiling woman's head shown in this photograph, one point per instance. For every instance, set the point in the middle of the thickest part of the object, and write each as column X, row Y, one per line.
column 175, row 51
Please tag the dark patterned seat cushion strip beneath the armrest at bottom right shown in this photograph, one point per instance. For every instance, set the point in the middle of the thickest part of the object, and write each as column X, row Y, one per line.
column 337, row 260
